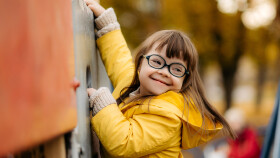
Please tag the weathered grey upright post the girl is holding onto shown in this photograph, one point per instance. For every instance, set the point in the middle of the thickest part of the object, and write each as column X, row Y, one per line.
column 91, row 72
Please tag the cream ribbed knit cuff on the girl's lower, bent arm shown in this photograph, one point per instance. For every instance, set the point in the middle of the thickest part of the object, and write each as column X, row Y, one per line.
column 100, row 99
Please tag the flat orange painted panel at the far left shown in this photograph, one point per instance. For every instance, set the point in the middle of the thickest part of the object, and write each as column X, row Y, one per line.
column 37, row 101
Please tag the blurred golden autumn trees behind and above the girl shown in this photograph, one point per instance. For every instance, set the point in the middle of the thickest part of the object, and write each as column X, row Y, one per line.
column 237, row 40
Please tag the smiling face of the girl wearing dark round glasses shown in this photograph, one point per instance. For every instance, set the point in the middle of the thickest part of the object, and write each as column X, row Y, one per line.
column 157, row 81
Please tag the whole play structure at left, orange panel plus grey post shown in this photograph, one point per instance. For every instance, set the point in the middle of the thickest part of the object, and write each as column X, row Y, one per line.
column 43, row 46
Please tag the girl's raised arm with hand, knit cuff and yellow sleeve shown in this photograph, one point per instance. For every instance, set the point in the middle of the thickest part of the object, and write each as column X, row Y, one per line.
column 112, row 46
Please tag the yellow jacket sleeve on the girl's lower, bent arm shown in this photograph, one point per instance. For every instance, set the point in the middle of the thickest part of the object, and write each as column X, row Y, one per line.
column 138, row 136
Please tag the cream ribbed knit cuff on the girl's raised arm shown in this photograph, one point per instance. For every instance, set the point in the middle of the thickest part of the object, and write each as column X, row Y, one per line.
column 106, row 22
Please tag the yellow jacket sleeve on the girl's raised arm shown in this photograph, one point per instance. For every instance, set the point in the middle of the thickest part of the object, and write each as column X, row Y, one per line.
column 117, row 59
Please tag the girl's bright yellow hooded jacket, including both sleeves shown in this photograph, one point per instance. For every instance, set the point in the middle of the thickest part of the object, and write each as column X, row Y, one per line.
column 154, row 128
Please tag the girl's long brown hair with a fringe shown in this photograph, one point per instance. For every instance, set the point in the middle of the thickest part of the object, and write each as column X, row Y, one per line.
column 179, row 46
